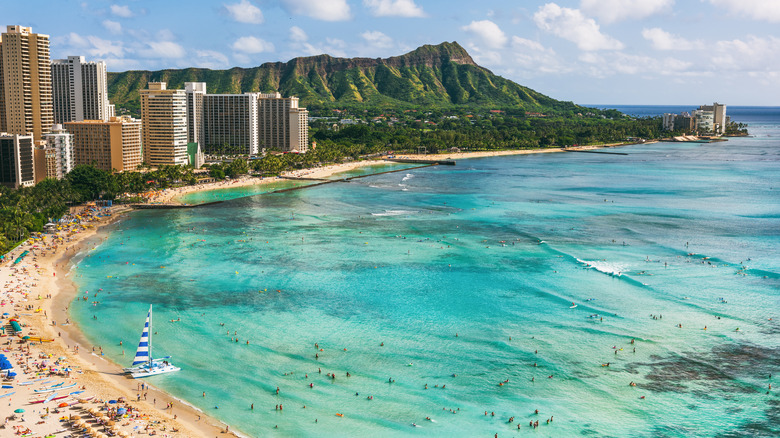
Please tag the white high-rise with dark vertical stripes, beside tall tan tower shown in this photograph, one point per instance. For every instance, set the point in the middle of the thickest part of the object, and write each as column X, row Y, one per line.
column 80, row 90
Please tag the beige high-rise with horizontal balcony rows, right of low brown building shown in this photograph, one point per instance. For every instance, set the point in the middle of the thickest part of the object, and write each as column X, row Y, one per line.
column 164, row 121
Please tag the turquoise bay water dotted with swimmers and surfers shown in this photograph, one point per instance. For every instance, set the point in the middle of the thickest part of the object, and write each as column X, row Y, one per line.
column 464, row 276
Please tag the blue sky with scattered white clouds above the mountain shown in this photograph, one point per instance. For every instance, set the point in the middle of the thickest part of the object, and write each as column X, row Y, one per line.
column 648, row 52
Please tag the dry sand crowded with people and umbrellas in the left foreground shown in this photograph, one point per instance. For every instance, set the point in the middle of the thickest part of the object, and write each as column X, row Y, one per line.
column 48, row 388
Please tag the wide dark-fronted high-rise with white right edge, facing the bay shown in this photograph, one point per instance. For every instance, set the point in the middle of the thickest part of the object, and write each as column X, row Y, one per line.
column 230, row 123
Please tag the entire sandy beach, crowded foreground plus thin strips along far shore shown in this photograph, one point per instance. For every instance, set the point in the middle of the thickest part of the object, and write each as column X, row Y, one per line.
column 59, row 360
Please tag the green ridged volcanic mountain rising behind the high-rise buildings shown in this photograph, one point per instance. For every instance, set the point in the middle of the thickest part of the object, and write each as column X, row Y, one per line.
column 441, row 75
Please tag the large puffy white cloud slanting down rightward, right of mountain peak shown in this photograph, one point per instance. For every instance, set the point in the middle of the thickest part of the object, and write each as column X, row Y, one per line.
column 571, row 25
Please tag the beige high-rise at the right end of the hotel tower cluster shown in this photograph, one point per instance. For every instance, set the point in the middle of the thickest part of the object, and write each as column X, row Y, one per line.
column 279, row 129
